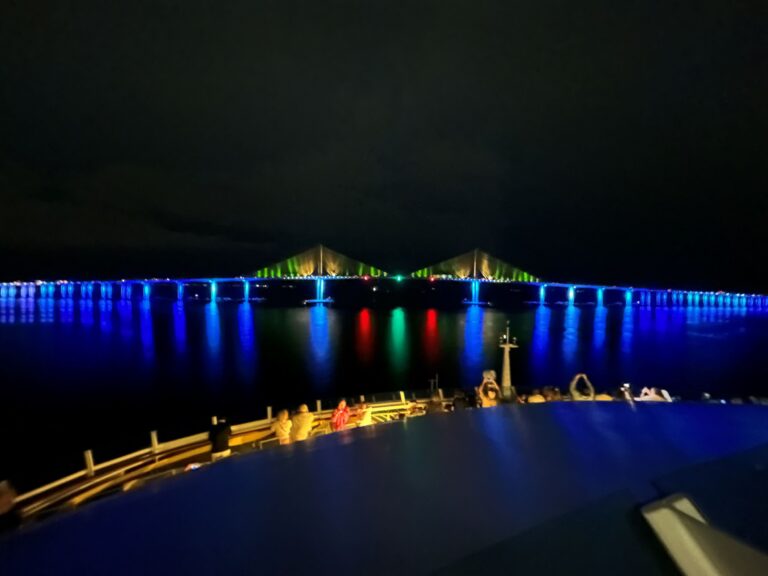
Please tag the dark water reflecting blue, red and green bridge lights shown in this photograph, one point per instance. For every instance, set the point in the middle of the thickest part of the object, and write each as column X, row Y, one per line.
column 83, row 374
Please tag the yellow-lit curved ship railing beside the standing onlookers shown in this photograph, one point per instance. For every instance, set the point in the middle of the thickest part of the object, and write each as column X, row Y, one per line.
column 126, row 471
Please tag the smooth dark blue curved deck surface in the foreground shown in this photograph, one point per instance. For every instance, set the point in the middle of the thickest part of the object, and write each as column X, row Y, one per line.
column 449, row 493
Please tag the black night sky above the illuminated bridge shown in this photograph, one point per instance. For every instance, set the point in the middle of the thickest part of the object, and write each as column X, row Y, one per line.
column 605, row 141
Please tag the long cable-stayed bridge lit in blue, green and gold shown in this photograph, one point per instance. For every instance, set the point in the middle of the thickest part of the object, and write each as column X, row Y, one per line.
column 323, row 266
